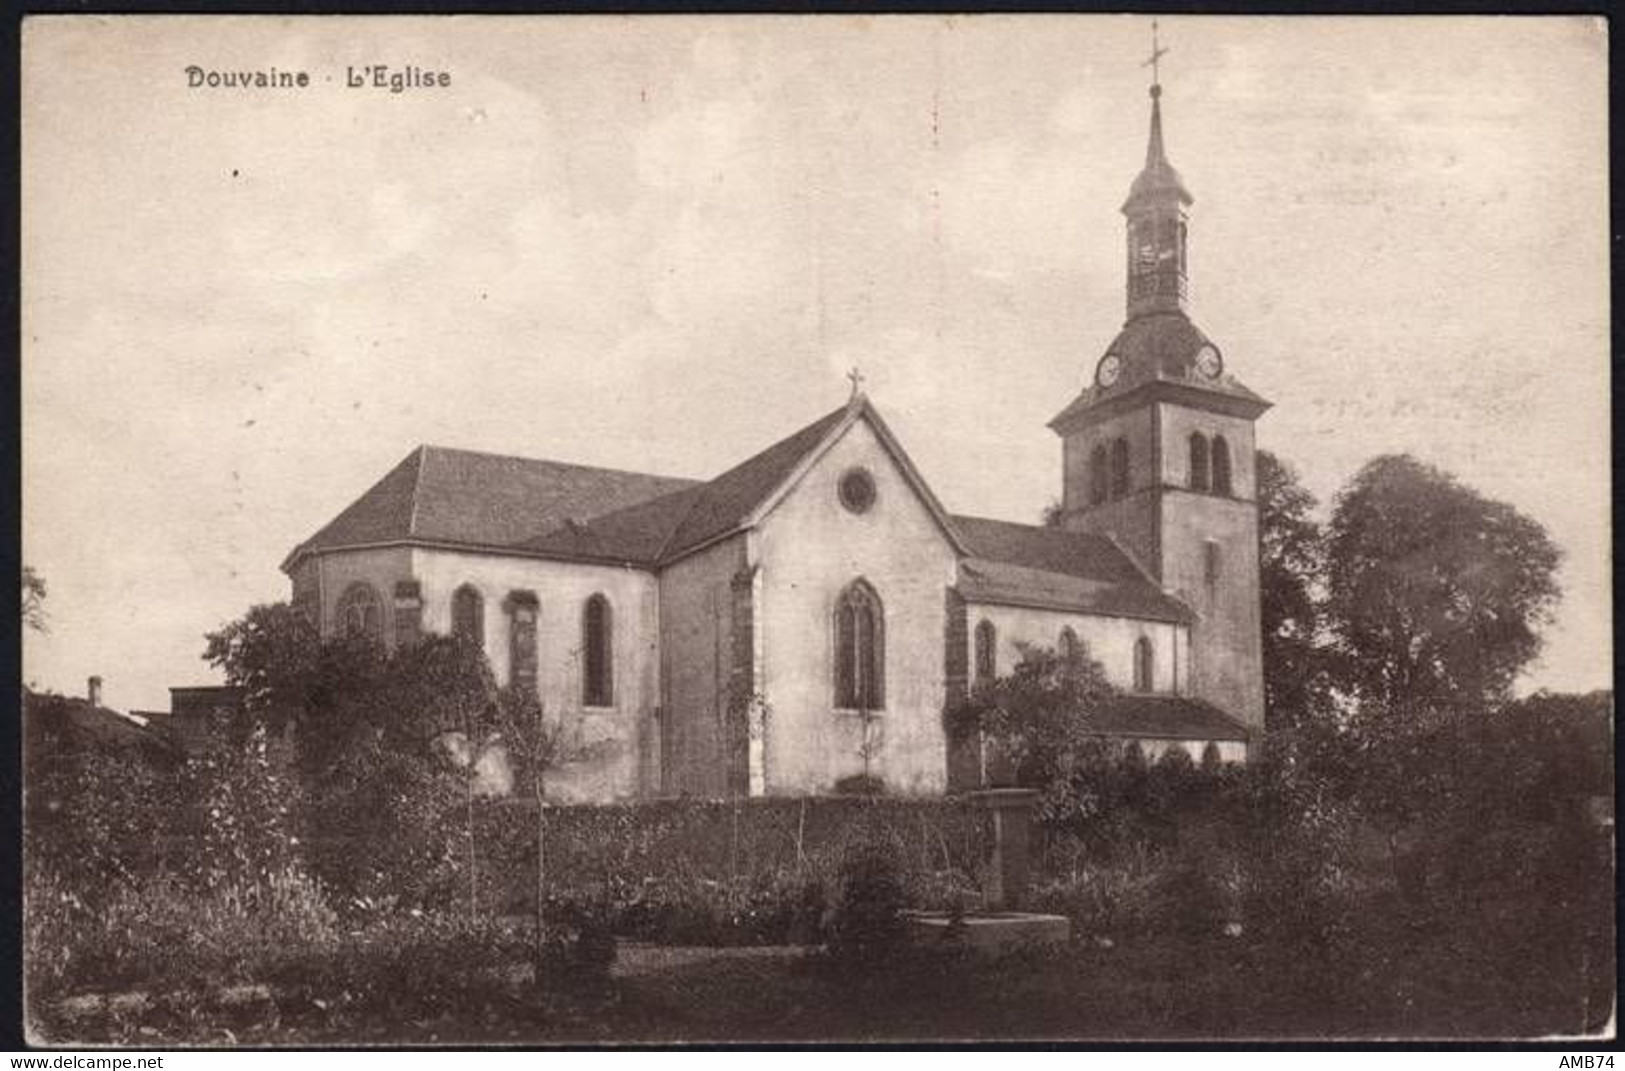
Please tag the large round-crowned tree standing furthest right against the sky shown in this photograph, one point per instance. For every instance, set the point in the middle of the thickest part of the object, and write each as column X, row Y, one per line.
column 1436, row 594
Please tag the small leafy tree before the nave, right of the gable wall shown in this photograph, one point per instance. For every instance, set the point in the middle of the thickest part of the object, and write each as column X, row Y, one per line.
column 1036, row 721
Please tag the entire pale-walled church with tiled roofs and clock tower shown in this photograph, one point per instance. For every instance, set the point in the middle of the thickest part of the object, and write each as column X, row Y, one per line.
column 808, row 615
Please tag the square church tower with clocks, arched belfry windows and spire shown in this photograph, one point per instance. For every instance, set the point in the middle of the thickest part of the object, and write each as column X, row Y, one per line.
column 1158, row 448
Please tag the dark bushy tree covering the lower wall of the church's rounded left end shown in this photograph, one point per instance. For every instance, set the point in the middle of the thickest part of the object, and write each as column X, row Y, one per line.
column 375, row 739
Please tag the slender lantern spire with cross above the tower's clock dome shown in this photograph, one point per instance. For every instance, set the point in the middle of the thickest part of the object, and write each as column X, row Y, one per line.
column 1156, row 219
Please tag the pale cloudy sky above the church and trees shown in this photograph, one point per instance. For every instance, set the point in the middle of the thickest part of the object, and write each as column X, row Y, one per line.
column 662, row 243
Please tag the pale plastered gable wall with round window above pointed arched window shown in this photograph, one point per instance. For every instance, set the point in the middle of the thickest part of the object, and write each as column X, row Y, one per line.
column 810, row 549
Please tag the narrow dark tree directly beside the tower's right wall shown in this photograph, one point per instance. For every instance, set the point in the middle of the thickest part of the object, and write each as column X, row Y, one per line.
column 1291, row 568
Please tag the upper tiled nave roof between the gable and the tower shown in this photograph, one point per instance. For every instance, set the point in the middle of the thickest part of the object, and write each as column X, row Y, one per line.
column 1059, row 570
